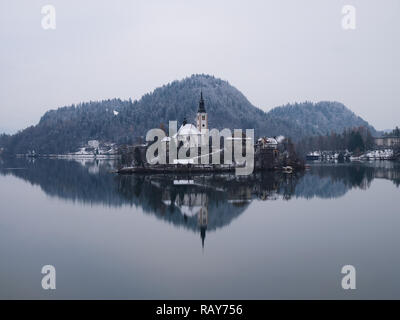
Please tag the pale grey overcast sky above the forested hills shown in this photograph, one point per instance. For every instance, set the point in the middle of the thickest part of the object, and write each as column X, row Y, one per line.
column 275, row 52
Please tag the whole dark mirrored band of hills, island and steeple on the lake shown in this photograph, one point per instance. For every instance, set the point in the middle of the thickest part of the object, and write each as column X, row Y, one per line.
column 200, row 203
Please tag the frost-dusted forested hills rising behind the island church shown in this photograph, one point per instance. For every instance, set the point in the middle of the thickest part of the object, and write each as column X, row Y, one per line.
column 65, row 129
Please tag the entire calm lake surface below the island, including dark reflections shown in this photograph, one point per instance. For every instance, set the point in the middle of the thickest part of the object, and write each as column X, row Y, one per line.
column 266, row 236
